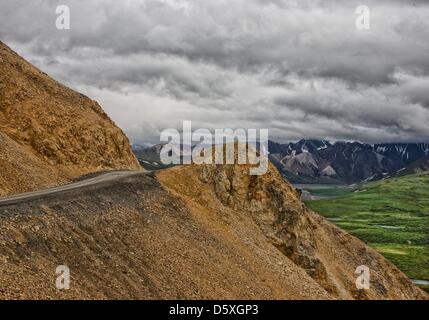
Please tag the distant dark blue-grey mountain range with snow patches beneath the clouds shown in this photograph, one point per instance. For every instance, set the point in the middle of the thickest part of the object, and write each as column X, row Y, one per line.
column 322, row 161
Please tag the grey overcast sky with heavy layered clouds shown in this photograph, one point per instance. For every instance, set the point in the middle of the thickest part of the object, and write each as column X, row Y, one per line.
column 300, row 68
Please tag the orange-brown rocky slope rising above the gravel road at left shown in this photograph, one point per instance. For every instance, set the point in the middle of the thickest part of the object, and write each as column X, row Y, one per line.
column 50, row 134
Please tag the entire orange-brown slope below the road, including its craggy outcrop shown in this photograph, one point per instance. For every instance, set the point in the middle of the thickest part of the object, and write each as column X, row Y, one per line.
column 208, row 232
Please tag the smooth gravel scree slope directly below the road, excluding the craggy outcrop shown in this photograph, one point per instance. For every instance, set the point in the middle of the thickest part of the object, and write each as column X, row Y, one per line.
column 133, row 239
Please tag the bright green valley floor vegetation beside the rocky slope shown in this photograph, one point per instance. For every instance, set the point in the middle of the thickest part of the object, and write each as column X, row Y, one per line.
column 391, row 216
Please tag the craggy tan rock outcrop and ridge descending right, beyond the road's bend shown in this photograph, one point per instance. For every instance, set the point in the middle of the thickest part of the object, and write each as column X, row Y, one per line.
column 327, row 254
